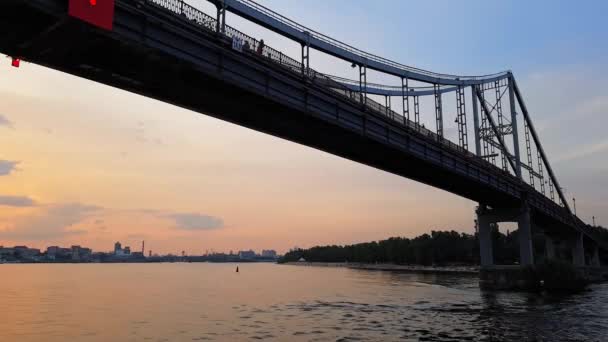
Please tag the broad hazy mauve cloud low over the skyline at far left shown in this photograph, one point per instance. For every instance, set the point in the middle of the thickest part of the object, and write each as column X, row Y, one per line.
column 51, row 222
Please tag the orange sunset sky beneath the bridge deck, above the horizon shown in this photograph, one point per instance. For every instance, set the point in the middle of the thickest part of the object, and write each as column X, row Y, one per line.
column 90, row 165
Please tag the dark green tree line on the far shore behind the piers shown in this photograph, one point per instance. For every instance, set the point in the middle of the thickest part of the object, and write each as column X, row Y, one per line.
column 436, row 248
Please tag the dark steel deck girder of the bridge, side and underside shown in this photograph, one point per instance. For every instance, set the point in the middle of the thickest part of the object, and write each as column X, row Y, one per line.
column 152, row 54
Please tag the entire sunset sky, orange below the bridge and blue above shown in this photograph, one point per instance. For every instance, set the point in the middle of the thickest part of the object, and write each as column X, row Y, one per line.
column 83, row 163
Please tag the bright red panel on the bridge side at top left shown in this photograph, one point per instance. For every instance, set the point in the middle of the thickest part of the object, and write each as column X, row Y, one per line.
column 96, row 12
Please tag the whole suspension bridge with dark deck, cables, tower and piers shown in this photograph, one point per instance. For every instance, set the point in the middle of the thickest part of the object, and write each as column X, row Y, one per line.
column 173, row 52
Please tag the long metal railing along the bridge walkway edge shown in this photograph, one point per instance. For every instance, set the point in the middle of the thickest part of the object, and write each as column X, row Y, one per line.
column 207, row 22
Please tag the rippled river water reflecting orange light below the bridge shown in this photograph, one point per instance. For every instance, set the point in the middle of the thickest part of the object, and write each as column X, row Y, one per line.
column 205, row 302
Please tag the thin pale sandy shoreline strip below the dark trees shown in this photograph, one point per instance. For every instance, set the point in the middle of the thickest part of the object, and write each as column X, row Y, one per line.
column 473, row 270
